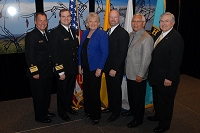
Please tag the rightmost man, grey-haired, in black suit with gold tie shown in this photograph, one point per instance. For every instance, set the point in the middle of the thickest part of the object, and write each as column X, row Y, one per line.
column 164, row 73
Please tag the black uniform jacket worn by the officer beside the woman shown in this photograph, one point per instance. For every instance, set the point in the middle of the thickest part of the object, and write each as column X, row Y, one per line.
column 64, row 50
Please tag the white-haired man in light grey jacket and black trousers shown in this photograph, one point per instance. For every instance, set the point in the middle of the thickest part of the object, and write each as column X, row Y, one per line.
column 137, row 63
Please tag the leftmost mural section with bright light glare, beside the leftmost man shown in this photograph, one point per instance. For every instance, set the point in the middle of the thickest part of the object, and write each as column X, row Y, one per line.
column 14, row 23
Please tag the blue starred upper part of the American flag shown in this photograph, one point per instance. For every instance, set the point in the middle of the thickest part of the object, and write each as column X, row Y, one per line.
column 72, row 8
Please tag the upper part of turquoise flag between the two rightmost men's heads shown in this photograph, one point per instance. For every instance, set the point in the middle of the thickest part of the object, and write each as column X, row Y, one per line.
column 160, row 9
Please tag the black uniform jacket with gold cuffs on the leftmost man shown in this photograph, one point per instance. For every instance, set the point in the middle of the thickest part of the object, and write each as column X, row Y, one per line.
column 38, row 55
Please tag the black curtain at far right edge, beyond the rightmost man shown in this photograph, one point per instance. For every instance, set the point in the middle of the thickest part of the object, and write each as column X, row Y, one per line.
column 189, row 27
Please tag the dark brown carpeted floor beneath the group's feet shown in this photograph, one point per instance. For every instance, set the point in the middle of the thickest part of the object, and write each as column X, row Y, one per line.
column 16, row 116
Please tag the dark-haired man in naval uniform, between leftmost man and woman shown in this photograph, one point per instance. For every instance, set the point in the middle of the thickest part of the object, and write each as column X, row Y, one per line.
column 64, row 47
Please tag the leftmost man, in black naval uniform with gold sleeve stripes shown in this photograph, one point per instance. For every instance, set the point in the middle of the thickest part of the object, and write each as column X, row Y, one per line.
column 40, row 71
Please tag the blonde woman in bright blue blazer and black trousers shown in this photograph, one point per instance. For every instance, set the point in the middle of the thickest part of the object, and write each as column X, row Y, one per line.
column 92, row 55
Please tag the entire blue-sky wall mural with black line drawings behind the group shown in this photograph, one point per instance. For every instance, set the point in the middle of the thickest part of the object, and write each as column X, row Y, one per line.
column 17, row 17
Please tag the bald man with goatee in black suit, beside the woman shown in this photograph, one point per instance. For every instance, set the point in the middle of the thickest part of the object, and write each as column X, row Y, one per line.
column 114, row 67
